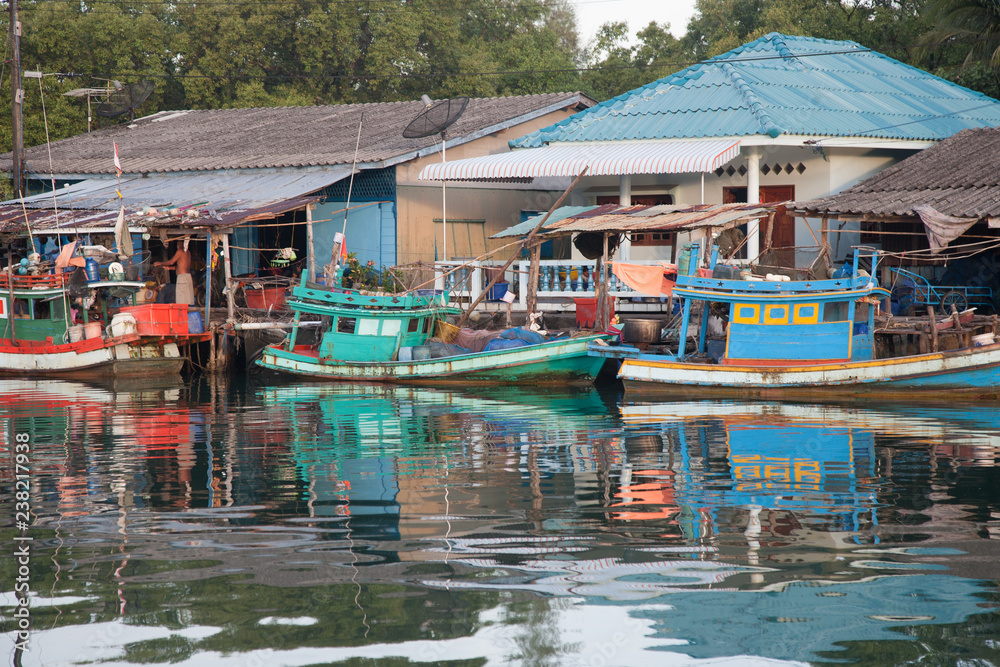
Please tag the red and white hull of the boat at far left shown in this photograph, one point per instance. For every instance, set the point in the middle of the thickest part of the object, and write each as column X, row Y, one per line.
column 126, row 356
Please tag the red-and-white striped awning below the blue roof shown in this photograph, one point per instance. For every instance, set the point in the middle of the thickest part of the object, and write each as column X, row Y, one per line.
column 616, row 159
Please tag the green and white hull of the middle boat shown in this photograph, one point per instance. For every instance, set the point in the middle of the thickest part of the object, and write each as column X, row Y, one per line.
column 553, row 363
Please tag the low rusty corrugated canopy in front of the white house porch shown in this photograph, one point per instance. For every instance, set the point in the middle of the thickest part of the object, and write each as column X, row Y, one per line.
column 646, row 218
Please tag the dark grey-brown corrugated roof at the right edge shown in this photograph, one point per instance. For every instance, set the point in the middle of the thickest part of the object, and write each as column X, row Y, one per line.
column 957, row 177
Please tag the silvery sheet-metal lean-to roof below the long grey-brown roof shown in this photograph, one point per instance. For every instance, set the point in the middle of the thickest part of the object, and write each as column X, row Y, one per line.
column 221, row 199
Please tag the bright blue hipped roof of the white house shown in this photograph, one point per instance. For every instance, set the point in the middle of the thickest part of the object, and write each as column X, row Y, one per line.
column 782, row 84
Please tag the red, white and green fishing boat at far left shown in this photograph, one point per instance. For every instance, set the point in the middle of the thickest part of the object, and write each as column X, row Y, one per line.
column 40, row 336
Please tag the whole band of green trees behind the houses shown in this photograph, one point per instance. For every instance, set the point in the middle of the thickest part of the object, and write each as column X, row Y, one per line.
column 301, row 52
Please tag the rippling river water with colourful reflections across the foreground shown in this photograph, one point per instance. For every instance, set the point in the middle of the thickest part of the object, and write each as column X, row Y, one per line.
column 309, row 524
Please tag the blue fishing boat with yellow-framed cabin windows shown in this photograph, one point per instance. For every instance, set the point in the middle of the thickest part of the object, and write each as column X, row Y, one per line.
column 793, row 338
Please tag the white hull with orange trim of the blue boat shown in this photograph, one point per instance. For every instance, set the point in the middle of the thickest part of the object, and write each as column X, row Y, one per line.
column 973, row 371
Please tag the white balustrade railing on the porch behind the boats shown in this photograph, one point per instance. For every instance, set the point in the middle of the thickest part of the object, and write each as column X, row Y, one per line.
column 558, row 280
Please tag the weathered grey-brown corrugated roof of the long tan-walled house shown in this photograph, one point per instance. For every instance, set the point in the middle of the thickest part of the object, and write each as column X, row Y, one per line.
column 278, row 137
